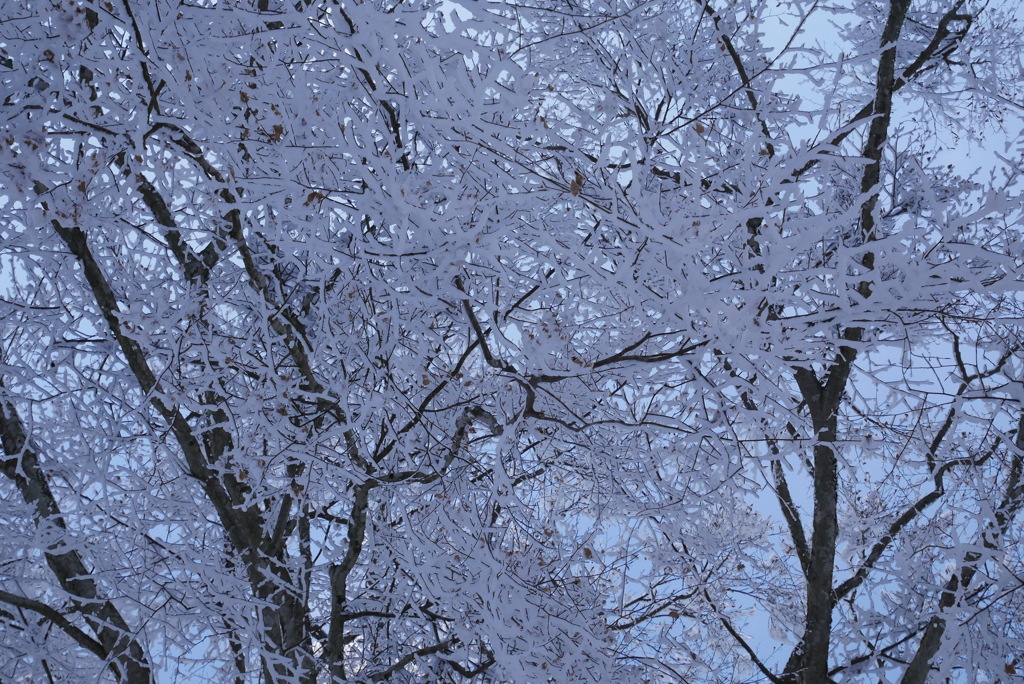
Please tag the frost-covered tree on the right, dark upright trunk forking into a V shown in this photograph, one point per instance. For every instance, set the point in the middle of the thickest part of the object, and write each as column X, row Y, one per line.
column 860, row 300
